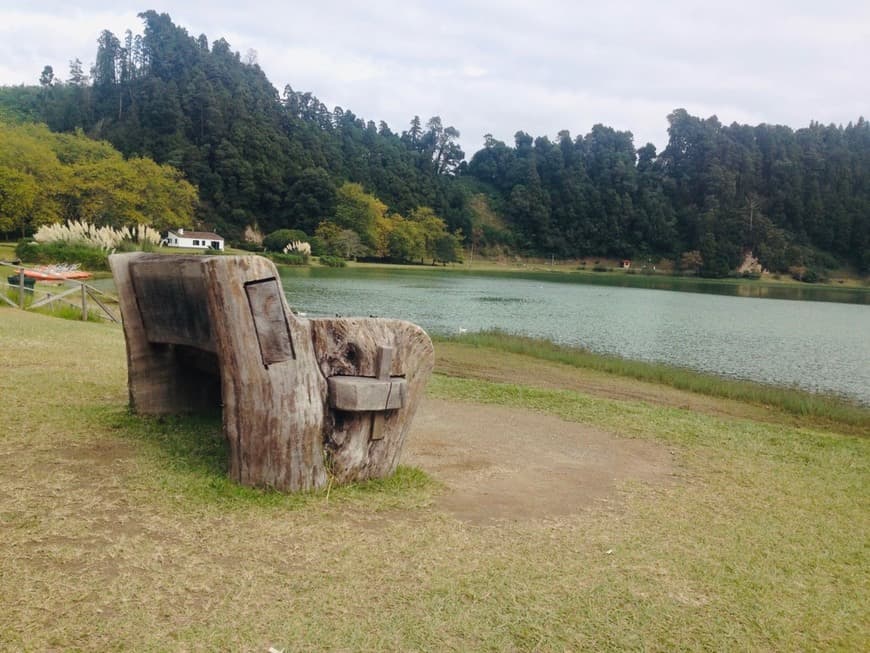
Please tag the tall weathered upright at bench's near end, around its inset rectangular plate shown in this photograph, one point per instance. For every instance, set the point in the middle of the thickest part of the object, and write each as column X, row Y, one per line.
column 273, row 414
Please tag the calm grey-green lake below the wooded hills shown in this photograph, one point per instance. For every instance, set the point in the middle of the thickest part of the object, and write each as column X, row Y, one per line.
column 822, row 346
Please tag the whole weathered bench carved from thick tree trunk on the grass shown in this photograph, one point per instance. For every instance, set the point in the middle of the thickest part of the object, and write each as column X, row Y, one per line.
column 303, row 400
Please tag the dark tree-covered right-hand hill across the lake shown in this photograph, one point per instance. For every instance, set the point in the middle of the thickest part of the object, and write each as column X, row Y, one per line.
column 795, row 198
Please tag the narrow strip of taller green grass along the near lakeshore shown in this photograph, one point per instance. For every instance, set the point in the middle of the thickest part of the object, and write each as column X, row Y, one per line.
column 791, row 400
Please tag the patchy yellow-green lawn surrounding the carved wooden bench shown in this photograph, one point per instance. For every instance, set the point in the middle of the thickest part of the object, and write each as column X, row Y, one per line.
column 120, row 533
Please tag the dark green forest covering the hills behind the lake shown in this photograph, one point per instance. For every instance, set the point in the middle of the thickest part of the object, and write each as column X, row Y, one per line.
column 263, row 160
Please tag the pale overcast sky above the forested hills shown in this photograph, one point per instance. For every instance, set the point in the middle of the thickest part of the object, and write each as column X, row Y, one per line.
column 498, row 66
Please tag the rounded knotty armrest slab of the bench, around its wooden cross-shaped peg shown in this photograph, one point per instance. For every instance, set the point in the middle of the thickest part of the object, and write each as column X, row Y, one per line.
column 350, row 347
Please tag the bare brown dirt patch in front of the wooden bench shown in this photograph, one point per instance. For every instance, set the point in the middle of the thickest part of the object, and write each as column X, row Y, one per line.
column 508, row 464
